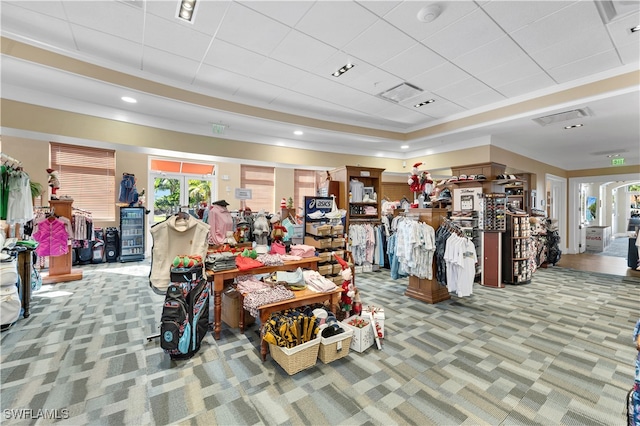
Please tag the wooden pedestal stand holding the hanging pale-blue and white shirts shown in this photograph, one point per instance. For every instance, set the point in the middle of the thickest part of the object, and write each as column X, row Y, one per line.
column 429, row 291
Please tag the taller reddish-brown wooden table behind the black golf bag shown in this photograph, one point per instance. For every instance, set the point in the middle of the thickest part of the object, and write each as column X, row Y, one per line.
column 218, row 278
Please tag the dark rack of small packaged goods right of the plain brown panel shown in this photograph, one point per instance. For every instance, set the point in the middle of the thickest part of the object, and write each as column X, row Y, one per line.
column 515, row 265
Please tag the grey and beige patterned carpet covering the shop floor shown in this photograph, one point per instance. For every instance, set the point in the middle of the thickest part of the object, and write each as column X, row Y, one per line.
column 556, row 351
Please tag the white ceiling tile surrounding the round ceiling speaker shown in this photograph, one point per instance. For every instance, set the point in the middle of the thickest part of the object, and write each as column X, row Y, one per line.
column 405, row 17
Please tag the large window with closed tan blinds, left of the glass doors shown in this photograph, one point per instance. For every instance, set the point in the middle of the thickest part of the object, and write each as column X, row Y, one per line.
column 88, row 176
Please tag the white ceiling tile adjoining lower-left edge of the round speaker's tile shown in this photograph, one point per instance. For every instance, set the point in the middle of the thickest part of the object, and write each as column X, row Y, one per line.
column 379, row 43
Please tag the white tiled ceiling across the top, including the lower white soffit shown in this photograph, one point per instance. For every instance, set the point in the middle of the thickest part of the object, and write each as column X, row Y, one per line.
column 280, row 55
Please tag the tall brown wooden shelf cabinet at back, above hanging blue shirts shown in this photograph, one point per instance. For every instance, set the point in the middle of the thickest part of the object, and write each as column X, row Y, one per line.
column 371, row 178
